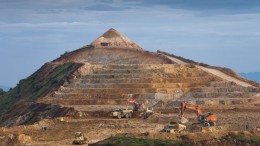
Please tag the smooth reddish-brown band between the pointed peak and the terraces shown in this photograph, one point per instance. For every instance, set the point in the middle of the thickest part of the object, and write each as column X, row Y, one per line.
column 89, row 54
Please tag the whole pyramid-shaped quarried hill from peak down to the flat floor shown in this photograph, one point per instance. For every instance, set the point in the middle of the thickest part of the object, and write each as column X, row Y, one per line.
column 111, row 70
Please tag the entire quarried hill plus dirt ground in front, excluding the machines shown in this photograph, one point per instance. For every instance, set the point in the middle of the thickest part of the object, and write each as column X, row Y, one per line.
column 85, row 85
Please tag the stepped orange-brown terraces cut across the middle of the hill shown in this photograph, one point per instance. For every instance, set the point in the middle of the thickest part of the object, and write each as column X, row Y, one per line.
column 113, row 84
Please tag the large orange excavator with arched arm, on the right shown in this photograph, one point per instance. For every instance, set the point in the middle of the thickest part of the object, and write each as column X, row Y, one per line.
column 208, row 119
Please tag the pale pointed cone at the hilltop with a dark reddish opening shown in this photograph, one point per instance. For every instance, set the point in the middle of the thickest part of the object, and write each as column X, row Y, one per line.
column 114, row 39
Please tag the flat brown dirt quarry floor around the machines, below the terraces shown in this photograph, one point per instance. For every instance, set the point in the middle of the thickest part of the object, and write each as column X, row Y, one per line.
column 237, row 117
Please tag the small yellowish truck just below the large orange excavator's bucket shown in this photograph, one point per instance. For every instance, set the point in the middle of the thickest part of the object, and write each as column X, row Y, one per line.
column 175, row 127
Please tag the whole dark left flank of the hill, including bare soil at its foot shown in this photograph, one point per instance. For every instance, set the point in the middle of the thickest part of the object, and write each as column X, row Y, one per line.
column 20, row 101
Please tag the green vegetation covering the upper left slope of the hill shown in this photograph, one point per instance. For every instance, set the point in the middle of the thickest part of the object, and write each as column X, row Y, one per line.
column 37, row 85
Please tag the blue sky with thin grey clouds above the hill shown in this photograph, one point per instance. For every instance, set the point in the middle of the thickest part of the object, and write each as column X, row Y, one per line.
column 223, row 33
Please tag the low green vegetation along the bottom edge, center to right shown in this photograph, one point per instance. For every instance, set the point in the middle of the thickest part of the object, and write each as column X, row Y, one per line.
column 127, row 140
